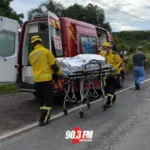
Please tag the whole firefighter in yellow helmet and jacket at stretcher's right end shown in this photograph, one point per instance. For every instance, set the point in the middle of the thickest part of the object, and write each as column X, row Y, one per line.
column 111, row 81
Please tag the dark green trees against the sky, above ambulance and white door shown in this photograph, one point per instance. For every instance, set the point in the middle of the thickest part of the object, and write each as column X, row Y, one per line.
column 90, row 13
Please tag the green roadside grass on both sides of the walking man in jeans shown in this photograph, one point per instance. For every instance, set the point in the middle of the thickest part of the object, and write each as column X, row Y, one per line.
column 130, row 64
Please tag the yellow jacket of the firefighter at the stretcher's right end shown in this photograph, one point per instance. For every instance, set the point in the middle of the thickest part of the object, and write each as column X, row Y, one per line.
column 115, row 60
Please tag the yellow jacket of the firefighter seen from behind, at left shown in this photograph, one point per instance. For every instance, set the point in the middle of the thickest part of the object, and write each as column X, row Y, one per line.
column 41, row 60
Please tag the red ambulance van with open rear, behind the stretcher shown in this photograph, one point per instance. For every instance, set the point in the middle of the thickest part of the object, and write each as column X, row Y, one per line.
column 65, row 37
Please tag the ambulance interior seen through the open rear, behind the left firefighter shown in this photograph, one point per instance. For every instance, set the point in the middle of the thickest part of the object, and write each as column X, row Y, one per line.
column 35, row 28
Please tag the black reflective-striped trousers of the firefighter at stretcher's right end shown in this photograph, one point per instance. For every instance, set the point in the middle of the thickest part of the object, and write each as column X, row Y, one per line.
column 110, row 84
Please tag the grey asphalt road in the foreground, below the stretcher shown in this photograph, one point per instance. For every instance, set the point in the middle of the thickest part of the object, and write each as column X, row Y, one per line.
column 125, row 126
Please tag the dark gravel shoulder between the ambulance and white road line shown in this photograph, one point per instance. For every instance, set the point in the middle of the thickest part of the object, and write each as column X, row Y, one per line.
column 20, row 109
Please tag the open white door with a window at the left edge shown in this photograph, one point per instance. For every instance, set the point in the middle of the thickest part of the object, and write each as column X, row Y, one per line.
column 8, row 49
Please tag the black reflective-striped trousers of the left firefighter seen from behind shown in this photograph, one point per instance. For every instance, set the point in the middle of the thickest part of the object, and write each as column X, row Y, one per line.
column 44, row 92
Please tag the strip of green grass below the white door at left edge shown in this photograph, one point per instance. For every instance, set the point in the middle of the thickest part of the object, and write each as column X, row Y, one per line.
column 6, row 89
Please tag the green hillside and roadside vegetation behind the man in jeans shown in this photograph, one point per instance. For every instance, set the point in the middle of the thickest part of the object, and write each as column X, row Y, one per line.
column 129, row 41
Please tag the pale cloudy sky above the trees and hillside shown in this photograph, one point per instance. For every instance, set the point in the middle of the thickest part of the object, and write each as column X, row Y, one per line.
column 123, row 15
